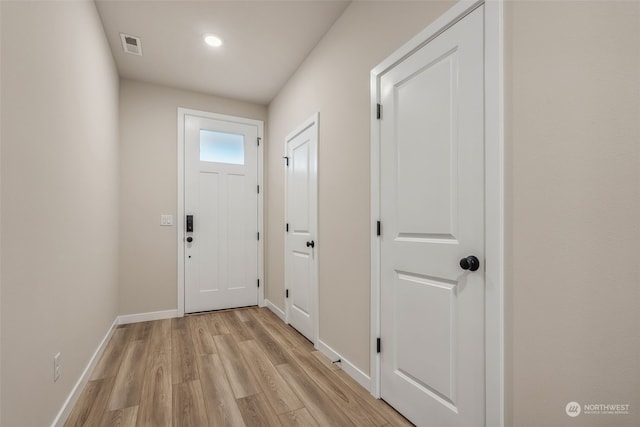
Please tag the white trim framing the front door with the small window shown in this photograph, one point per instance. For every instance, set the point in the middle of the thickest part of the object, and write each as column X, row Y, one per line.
column 182, row 112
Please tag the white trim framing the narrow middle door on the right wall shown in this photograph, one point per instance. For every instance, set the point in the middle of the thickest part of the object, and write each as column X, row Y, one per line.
column 312, row 121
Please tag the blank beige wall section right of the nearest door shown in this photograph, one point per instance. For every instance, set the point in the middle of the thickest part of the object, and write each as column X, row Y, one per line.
column 573, row 161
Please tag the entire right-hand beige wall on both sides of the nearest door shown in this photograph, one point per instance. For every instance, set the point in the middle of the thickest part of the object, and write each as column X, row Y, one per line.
column 572, row 195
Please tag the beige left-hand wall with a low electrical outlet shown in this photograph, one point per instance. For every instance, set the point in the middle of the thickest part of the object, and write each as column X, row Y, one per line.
column 59, row 201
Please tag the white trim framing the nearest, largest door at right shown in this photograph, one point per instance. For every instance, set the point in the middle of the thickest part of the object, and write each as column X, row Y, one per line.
column 494, row 195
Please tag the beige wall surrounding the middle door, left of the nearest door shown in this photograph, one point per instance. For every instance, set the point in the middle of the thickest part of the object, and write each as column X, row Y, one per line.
column 334, row 80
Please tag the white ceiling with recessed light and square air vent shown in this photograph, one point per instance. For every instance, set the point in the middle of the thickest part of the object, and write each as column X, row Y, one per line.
column 264, row 42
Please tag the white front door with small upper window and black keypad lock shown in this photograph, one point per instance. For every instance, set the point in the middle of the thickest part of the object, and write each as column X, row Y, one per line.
column 221, row 209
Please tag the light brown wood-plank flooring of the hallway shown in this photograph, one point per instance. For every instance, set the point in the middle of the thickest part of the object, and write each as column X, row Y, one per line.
column 241, row 367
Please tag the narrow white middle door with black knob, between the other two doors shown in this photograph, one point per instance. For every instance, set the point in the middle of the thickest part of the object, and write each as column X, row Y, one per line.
column 301, row 260
